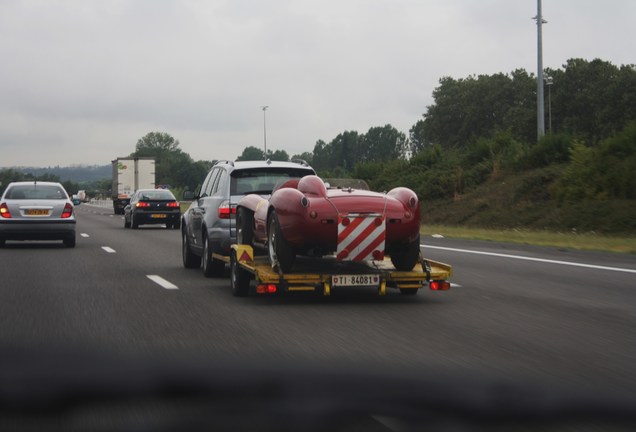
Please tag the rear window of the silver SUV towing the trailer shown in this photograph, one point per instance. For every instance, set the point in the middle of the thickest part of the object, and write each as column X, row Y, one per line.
column 262, row 180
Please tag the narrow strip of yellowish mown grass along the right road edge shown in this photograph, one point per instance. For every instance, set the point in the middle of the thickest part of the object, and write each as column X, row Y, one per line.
column 569, row 240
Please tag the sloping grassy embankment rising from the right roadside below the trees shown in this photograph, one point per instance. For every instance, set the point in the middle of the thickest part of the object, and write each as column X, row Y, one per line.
column 521, row 209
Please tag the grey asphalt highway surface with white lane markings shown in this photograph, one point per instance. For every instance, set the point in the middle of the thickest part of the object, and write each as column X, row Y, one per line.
column 541, row 315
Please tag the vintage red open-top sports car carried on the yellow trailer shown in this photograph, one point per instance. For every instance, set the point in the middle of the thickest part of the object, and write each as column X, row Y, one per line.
column 305, row 217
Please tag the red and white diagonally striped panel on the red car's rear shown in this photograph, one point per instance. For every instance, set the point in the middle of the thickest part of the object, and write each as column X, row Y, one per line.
column 361, row 237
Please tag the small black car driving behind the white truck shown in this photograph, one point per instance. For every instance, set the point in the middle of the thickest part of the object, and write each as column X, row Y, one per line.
column 152, row 206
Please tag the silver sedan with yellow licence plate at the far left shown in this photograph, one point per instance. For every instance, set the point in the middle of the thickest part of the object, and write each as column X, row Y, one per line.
column 35, row 210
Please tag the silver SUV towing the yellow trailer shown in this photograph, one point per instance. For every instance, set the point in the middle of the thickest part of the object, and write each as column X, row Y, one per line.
column 209, row 224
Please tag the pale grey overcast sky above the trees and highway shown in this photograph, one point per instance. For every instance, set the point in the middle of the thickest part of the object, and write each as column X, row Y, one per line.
column 81, row 81
